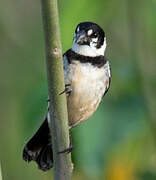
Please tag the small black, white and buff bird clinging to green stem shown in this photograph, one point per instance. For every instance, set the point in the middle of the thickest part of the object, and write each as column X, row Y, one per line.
column 87, row 76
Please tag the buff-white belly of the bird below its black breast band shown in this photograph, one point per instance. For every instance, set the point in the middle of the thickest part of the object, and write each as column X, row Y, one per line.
column 87, row 92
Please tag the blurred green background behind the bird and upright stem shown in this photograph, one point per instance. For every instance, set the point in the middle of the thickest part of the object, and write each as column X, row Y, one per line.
column 119, row 141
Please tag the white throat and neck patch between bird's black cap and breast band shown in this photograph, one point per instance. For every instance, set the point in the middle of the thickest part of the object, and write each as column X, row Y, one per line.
column 91, row 50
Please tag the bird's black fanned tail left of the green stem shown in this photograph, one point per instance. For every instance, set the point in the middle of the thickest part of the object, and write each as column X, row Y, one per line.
column 39, row 148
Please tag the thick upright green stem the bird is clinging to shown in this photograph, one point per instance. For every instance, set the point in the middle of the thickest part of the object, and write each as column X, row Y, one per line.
column 58, row 109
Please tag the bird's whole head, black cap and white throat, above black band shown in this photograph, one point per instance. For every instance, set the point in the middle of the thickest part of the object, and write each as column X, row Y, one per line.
column 89, row 39
